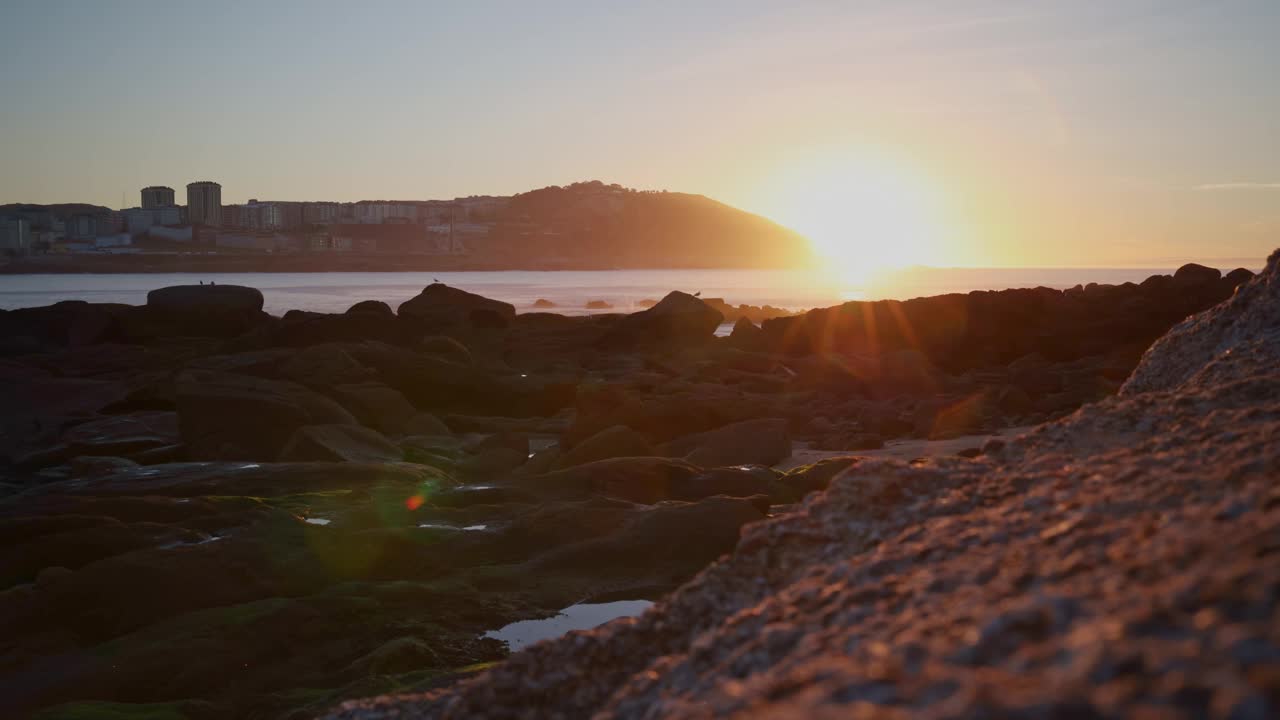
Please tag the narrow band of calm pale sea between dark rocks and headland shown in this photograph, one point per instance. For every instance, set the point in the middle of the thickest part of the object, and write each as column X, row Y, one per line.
column 569, row 290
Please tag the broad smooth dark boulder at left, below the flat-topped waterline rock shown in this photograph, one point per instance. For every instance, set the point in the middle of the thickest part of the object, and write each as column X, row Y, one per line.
column 228, row 417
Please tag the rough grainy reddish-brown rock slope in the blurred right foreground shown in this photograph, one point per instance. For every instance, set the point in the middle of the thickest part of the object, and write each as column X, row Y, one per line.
column 1122, row 562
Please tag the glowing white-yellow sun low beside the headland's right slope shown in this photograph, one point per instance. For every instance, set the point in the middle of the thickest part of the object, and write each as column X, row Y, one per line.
column 865, row 212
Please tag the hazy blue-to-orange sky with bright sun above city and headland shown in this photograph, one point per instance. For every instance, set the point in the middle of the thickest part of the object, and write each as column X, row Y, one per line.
column 950, row 133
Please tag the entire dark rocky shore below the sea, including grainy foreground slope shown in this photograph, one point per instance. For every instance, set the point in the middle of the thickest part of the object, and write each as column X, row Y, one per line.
column 211, row 512
